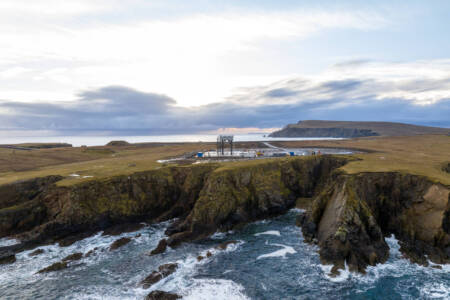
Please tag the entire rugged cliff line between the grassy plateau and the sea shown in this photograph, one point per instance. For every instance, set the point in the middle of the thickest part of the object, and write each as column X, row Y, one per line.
column 349, row 216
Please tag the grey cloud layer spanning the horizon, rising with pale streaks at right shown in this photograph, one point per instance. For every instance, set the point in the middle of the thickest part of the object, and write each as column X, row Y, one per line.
column 403, row 97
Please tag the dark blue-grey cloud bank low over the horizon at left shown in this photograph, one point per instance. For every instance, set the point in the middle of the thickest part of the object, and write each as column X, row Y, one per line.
column 110, row 108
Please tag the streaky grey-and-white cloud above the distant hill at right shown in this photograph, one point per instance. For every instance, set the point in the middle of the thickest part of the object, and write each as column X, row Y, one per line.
column 420, row 83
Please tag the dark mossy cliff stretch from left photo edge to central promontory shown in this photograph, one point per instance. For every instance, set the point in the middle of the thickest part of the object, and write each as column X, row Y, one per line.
column 47, row 213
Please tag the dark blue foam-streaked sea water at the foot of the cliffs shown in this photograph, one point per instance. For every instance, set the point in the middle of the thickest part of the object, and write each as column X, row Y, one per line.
column 269, row 262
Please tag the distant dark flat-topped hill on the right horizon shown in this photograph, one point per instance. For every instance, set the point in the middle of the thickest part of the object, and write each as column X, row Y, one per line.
column 349, row 129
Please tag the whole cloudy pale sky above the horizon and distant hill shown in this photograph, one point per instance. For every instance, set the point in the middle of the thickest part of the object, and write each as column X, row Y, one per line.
column 174, row 66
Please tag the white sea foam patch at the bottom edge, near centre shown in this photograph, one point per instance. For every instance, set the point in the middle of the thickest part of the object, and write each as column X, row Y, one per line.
column 217, row 289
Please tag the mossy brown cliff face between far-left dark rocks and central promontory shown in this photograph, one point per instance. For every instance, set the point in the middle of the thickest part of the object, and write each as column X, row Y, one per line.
column 151, row 196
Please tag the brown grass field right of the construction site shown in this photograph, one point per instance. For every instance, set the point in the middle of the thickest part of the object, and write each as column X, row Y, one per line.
column 421, row 155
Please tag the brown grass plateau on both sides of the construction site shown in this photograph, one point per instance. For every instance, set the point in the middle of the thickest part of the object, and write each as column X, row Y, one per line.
column 421, row 155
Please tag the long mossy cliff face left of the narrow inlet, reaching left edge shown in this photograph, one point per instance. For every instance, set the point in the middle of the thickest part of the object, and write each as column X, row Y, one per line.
column 205, row 198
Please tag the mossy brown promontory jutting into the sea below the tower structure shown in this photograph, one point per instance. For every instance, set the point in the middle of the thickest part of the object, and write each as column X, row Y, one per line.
column 238, row 195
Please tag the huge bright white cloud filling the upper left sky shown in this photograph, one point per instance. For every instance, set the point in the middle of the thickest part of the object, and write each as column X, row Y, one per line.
column 195, row 57
